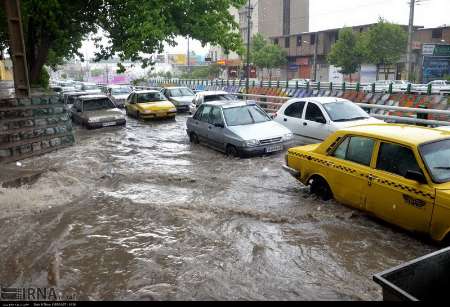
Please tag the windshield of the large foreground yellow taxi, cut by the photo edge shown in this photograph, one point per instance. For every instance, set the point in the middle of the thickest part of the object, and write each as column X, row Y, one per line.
column 436, row 156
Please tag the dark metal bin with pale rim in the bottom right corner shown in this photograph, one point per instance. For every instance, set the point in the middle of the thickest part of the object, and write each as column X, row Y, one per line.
column 423, row 279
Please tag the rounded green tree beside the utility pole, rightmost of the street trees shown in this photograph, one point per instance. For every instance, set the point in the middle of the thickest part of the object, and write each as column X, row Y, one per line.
column 384, row 44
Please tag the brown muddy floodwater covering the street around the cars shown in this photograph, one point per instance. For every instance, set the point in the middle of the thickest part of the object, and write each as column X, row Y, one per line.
column 141, row 214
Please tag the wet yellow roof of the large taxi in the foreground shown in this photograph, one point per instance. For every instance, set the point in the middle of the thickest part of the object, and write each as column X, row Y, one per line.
column 400, row 133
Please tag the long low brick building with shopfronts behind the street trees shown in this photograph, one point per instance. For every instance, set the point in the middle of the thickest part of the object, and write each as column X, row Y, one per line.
column 308, row 51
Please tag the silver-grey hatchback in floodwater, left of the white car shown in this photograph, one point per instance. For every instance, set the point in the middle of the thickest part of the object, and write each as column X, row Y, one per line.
column 237, row 128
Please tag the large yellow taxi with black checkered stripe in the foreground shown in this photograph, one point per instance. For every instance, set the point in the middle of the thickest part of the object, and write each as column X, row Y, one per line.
column 398, row 173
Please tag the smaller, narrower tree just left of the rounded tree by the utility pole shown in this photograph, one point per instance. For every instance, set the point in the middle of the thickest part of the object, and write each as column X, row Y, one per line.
column 347, row 53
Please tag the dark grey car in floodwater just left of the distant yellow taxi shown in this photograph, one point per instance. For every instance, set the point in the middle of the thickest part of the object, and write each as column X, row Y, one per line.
column 96, row 111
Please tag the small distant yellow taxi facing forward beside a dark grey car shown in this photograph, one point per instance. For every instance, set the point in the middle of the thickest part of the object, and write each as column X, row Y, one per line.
column 149, row 105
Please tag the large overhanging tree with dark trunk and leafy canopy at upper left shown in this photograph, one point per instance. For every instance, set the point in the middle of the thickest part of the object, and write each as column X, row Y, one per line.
column 55, row 29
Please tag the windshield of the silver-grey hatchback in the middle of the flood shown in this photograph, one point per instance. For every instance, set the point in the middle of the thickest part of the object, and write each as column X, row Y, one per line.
column 245, row 115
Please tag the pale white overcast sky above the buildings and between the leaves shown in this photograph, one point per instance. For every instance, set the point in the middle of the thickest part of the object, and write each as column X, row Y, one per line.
column 330, row 14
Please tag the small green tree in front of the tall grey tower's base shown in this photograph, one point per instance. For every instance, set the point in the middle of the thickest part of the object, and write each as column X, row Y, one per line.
column 267, row 56
